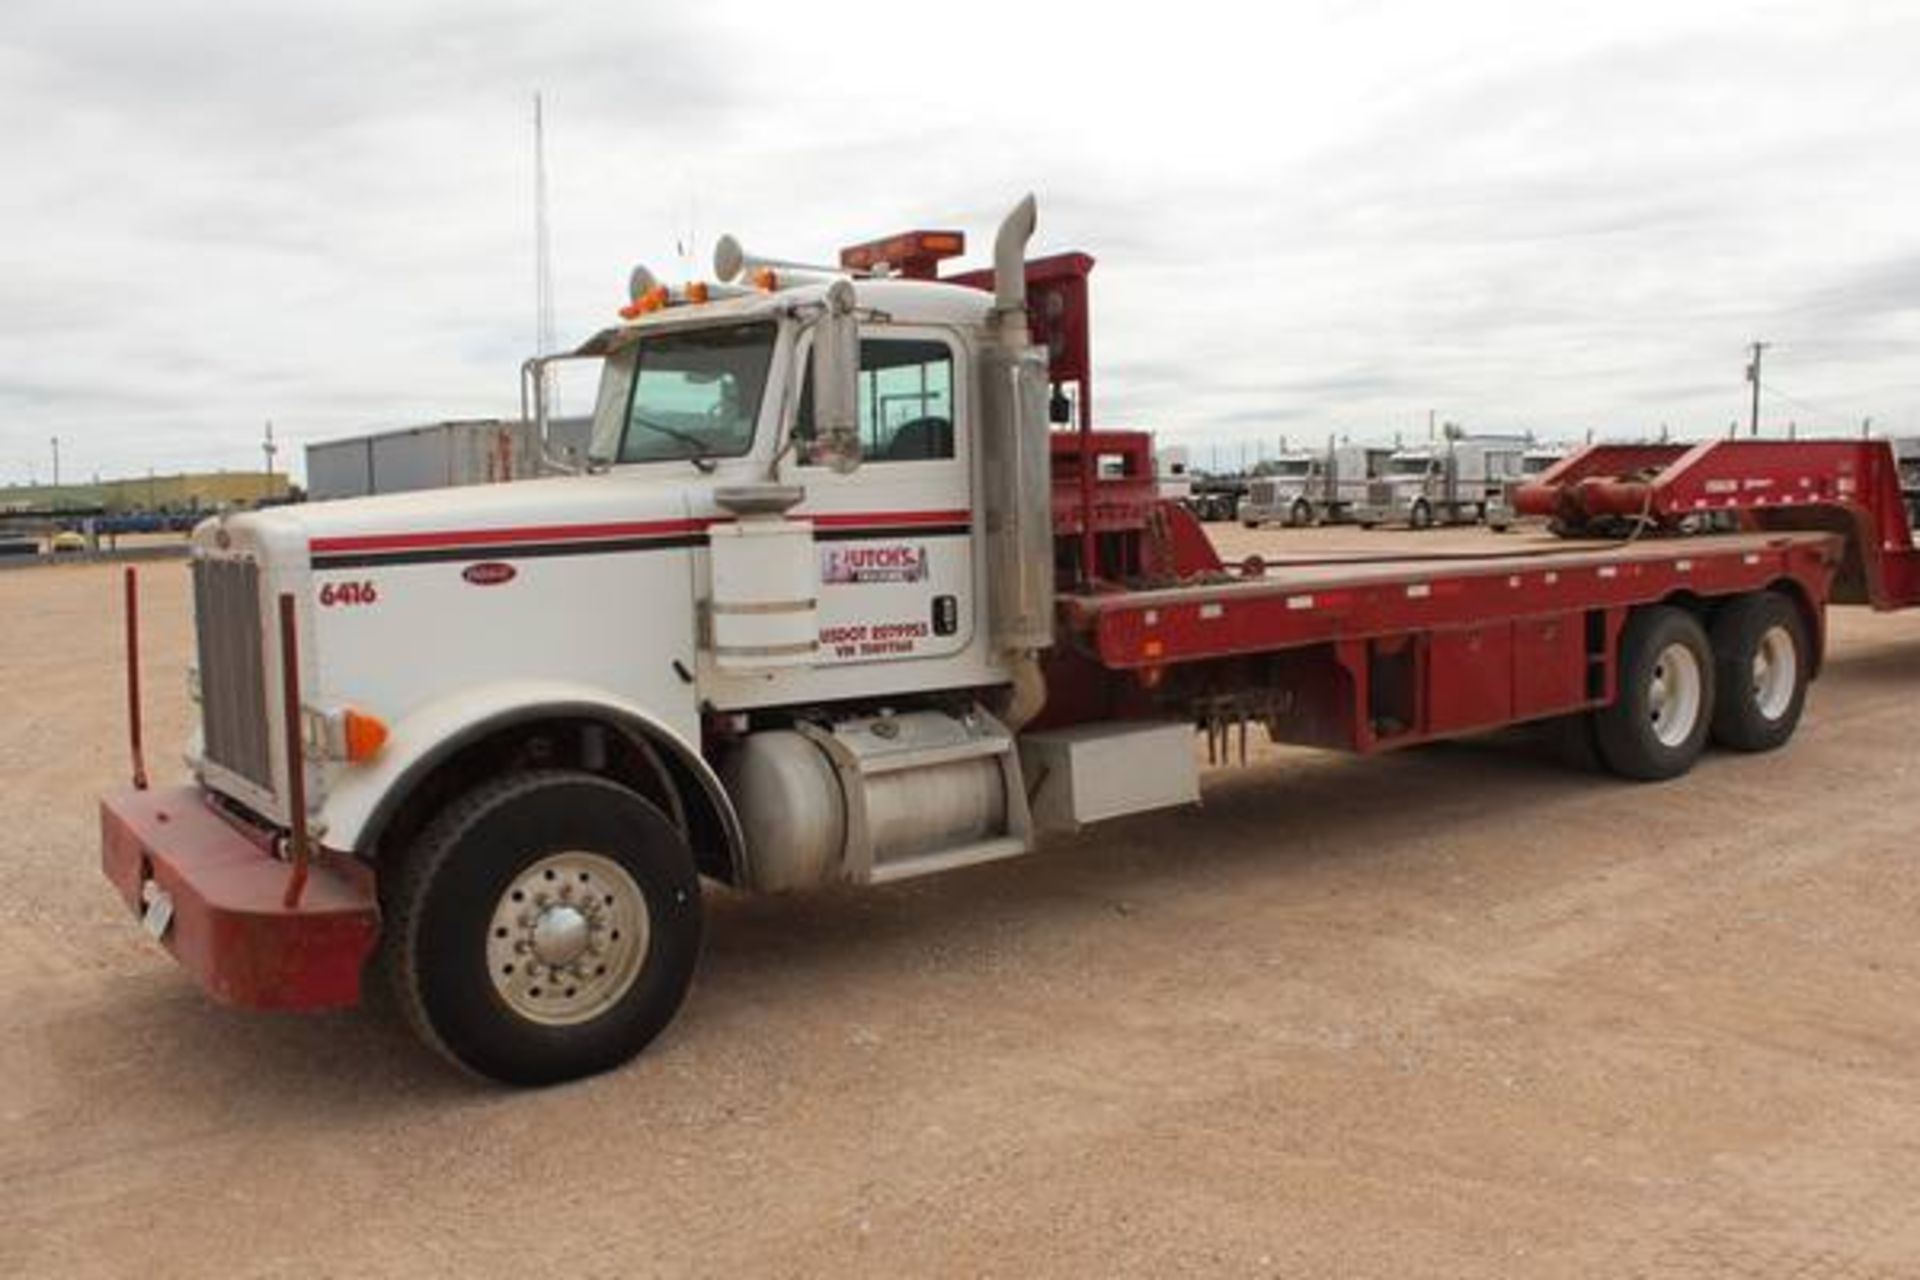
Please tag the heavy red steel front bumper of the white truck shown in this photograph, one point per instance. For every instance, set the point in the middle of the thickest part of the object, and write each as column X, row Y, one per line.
column 229, row 924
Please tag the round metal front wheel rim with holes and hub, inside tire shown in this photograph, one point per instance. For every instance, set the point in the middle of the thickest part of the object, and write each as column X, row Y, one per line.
column 567, row 939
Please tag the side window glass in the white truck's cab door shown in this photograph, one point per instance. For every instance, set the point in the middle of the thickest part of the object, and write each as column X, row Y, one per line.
column 907, row 402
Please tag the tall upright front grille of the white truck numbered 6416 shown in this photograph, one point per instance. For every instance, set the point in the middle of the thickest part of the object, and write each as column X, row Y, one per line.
column 233, row 671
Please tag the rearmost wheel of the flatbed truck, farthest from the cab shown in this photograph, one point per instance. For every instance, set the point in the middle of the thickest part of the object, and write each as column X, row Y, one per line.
column 1762, row 665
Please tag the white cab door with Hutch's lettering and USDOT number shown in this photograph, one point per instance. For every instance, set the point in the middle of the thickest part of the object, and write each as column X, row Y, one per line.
column 896, row 538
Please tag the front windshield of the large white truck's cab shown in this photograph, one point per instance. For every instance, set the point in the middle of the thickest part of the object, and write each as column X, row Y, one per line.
column 688, row 394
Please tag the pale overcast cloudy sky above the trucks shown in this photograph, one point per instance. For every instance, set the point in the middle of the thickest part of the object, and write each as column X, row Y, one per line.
column 1308, row 218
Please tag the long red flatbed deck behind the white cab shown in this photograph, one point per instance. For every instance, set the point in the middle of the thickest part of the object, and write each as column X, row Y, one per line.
column 1389, row 644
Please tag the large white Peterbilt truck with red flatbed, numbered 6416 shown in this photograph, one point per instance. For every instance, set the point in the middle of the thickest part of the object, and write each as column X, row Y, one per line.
column 834, row 605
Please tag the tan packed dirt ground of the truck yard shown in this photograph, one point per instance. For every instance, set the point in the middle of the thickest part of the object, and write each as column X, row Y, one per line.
column 1456, row 1012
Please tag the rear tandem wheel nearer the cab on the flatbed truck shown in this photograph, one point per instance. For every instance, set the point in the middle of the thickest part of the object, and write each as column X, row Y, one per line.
column 1664, row 707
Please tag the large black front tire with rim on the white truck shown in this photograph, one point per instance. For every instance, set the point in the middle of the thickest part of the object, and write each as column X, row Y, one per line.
column 544, row 928
